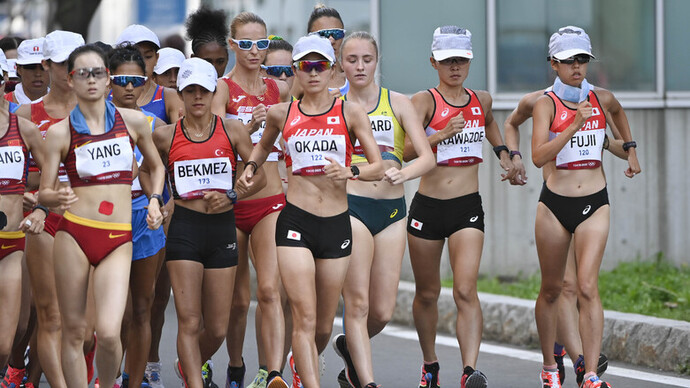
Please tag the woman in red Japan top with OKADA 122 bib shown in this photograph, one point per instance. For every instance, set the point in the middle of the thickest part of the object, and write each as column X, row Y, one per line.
column 313, row 232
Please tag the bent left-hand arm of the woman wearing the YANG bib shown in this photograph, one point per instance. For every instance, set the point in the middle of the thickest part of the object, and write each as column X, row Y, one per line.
column 58, row 137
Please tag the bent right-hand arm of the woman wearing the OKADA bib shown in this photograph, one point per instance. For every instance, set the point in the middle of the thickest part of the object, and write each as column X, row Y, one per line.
column 360, row 126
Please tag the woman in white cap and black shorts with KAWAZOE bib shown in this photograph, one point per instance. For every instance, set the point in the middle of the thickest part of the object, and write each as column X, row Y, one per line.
column 448, row 204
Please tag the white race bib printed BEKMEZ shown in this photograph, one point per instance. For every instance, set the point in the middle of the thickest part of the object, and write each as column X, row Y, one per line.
column 193, row 177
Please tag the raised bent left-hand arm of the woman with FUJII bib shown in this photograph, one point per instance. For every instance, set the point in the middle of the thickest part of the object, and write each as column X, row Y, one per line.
column 543, row 149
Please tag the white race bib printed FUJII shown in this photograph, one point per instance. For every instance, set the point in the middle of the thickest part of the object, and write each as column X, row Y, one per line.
column 583, row 150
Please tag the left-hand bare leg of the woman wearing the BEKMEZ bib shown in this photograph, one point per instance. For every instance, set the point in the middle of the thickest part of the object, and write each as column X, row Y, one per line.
column 186, row 277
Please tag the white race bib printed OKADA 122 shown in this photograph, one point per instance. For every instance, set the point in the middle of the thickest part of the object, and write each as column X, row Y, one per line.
column 309, row 153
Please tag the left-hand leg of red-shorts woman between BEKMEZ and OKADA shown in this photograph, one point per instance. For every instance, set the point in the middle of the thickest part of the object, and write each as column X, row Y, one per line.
column 237, row 326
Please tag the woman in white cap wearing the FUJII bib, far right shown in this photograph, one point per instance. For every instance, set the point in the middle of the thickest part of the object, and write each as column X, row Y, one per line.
column 569, row 125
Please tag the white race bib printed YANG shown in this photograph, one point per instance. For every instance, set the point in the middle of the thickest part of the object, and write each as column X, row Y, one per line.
column 104, row 157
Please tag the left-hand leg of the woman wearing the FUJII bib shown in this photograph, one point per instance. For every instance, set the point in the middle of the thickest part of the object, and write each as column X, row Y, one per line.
column 552, row 247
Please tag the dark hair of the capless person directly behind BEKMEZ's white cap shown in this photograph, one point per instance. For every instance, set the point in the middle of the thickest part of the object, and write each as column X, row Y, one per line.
column 207, row 25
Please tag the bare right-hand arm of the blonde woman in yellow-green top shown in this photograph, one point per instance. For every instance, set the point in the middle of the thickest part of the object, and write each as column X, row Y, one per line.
column 408, row 118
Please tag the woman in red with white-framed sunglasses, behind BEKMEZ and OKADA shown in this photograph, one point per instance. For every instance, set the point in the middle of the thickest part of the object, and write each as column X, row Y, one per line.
column 243, row 94
